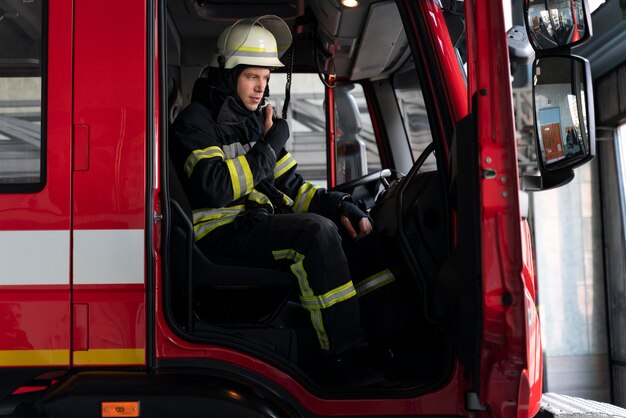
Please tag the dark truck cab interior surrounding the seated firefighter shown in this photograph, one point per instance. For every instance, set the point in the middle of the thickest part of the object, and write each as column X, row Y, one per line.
column 390, row 160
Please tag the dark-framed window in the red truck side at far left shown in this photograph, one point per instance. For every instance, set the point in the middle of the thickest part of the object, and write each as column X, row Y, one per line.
column 21, row 56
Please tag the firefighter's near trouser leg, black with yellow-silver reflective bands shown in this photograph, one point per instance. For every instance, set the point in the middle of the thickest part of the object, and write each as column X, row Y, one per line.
column 309, row 245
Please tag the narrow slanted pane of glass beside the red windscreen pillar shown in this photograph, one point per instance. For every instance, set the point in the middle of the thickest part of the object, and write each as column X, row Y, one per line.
column 414, row 116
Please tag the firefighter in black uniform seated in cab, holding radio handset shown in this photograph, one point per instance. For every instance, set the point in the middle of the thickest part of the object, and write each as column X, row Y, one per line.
column 248, row 201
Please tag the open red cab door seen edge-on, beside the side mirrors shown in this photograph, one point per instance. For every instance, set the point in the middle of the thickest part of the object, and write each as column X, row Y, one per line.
column 510, row 351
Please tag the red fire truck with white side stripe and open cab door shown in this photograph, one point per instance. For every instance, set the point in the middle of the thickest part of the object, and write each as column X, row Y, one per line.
column 107, row 308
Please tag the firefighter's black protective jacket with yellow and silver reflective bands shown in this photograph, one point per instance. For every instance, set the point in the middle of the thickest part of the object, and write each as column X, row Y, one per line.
column 227, row 169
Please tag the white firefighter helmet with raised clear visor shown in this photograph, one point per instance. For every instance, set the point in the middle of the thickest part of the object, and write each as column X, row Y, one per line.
column 257, row 42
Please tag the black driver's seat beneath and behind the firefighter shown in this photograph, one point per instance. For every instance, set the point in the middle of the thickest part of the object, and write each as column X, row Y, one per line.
column 219, row 291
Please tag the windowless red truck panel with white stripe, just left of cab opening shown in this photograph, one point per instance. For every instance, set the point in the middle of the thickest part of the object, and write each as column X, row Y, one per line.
column 109, row 183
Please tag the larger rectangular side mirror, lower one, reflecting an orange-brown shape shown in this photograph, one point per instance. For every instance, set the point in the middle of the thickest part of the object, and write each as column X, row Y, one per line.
column 564, row 118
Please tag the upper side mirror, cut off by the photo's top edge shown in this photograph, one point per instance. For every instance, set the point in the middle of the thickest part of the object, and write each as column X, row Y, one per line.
column 553, row 24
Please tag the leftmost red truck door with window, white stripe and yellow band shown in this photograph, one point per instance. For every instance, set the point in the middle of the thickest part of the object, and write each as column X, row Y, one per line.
column 35, row 179
